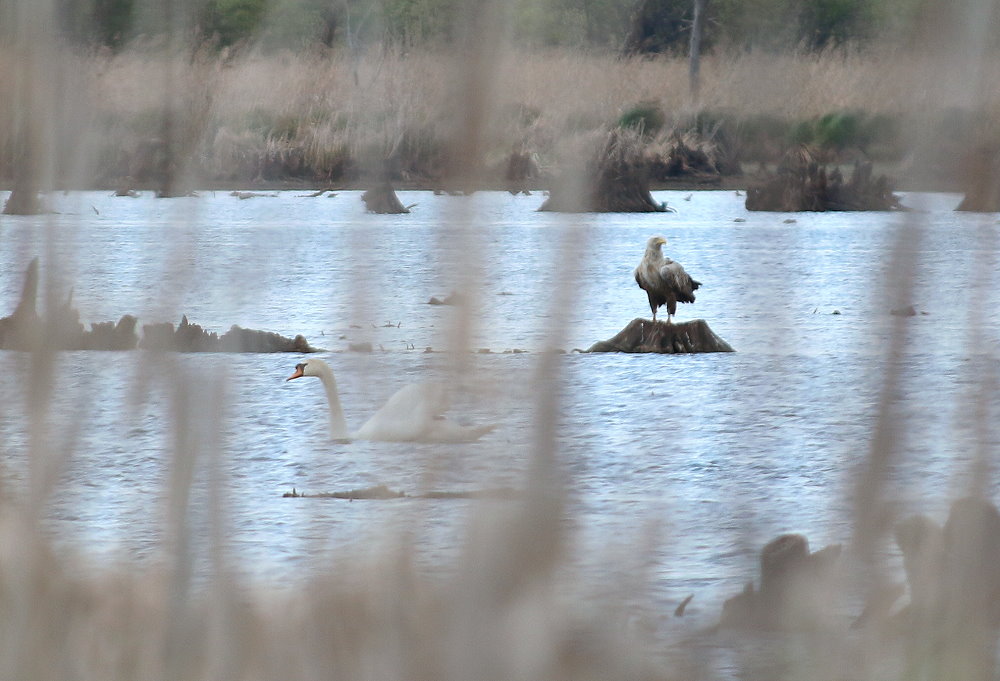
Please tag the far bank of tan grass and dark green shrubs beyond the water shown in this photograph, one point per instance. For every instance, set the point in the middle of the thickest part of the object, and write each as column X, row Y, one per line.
column 315, row 120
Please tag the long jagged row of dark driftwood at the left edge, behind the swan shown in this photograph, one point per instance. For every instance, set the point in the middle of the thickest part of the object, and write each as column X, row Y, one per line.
column 61, row 329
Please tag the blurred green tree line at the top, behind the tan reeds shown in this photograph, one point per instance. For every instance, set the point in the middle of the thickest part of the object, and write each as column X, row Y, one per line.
column 635, row 26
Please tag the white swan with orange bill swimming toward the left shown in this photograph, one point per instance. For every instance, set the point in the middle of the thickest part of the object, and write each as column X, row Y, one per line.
column 413, row 414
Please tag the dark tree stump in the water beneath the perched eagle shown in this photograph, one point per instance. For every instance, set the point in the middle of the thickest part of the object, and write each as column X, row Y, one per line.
column 645, row 335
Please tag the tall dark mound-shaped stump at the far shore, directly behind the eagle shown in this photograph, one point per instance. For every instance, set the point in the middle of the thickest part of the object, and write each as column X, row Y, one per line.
column 616, row 180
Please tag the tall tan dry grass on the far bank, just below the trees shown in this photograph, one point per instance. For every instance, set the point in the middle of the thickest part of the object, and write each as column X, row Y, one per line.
column 313, row 117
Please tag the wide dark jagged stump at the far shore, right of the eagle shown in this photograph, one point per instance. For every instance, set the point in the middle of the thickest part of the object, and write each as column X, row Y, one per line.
column 802, row 184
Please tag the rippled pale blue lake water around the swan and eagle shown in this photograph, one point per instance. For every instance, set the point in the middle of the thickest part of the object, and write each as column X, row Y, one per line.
column 700, row 459
